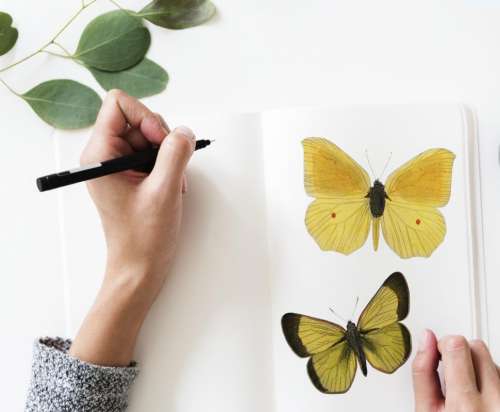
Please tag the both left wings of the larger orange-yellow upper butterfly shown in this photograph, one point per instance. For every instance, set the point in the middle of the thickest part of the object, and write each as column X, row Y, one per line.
column 339, row 218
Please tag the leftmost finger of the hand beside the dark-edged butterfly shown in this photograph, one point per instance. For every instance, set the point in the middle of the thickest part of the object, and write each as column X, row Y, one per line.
column 428, row 395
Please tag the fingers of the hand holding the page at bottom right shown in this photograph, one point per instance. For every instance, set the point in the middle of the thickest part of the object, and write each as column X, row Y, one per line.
column 471, row 378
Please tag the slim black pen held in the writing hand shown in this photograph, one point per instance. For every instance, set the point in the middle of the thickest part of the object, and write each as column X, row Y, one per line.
column 143, row 161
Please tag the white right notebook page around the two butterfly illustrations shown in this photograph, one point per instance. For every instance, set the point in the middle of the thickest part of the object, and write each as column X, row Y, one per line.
column 309, row 281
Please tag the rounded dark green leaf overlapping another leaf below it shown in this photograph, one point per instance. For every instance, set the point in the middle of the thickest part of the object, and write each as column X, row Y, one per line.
column 113, row 41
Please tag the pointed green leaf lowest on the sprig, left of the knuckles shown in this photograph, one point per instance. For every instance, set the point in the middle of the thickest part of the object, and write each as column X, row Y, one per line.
column 64, row 104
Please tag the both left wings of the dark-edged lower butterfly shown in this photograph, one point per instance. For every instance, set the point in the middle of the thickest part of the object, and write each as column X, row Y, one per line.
column 333, row 364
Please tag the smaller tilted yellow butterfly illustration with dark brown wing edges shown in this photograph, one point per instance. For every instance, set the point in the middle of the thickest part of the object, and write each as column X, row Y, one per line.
column 334, row 352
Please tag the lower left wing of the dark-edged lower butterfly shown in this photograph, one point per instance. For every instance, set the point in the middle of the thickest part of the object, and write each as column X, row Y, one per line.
column 333, row 370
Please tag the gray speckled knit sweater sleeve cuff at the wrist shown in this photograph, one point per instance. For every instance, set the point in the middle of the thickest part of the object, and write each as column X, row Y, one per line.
column 62, row 383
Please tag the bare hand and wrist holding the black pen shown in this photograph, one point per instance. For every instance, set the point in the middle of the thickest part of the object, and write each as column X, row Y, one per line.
column 140, row 215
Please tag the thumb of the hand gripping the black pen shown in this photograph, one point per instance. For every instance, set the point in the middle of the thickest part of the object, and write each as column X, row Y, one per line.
column 173, row 156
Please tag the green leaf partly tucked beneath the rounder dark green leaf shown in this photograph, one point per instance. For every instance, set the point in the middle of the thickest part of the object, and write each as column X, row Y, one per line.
column 144, row 79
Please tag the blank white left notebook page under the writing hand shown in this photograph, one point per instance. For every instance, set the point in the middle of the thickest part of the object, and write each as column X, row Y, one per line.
column 205, row 345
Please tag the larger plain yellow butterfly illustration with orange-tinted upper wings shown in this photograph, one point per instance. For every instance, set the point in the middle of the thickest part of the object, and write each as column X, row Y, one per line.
column 345, row 204
